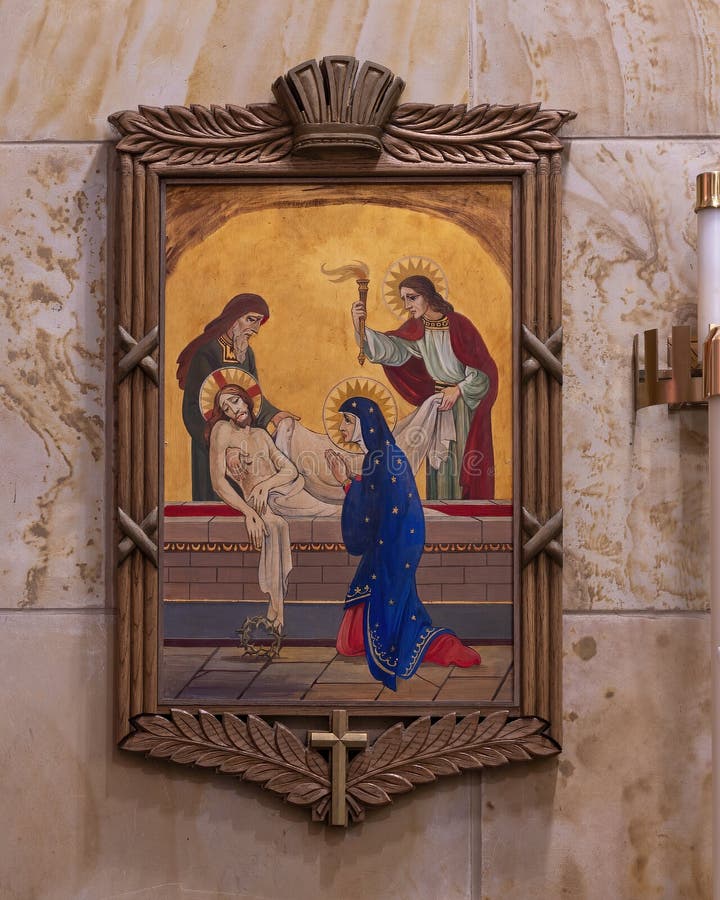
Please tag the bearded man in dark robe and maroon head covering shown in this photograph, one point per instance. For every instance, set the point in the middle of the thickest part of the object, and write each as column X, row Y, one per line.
column 223, row 344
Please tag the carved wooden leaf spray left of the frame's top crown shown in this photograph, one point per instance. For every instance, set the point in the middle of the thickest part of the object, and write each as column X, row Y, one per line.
column 205, row 136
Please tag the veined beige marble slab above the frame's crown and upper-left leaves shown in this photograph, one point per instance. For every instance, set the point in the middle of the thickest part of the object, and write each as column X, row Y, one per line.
column 162, row 53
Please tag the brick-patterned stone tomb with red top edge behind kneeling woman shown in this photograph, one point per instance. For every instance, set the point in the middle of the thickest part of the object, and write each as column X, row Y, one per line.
column 210, row 573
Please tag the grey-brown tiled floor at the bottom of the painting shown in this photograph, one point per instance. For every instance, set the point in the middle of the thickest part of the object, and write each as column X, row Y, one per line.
column 319, row 673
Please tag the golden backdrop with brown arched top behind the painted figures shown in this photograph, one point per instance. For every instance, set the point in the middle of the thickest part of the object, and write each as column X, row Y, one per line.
column 272, row 240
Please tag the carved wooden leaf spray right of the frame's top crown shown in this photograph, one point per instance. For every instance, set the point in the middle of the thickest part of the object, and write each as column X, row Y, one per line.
column 418, row 132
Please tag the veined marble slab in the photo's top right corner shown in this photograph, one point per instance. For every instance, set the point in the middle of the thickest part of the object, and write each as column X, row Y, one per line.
column 648, row 67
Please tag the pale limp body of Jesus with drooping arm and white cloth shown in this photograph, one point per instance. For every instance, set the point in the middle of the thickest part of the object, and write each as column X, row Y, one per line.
column 270, row 489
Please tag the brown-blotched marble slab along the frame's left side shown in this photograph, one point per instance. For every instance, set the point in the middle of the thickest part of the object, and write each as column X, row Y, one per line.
column 52, row 402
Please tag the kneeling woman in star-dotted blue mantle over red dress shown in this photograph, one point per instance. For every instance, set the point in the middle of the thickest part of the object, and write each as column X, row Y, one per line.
column 383, row 521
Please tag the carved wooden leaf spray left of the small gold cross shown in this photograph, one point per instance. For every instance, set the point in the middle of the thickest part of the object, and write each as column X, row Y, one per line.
column 269, row 755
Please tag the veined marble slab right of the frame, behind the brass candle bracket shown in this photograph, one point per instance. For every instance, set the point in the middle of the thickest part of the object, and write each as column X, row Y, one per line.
column 635, row 488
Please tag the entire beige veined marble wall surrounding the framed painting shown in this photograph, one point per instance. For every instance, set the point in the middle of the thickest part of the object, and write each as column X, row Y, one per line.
column 625, row 813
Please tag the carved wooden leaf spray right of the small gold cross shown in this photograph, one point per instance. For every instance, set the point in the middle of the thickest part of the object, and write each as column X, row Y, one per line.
column 402, row 757
